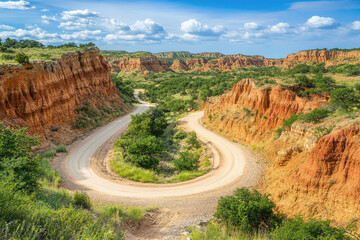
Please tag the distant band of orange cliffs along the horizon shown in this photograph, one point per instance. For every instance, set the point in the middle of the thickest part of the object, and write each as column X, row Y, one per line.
column 210, row 61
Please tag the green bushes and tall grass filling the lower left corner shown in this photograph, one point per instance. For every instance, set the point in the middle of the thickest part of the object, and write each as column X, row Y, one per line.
column 32, row 207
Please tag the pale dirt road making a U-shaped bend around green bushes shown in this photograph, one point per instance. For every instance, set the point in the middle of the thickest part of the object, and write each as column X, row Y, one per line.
column 181, row 204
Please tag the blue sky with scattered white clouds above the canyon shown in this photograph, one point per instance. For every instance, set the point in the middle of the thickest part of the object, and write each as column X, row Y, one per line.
column 269, row 28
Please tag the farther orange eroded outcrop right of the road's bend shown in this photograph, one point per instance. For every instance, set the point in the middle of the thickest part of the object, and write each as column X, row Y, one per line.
column 249, row 112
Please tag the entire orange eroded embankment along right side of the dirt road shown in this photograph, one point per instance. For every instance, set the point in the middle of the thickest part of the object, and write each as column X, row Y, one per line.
column 305, row 176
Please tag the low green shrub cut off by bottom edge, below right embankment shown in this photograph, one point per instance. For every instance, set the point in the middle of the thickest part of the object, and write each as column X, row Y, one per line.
column 295, row 229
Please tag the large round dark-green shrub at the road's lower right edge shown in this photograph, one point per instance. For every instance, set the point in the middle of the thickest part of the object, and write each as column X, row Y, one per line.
column 248, row 211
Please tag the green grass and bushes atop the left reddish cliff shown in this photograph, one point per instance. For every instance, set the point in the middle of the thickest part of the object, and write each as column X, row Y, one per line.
column 20, row 52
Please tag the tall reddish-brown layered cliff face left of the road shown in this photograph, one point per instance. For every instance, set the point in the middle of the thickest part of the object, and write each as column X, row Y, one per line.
column 41, row 95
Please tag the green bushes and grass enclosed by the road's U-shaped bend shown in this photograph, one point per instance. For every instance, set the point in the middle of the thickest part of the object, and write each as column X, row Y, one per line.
column 155, row 150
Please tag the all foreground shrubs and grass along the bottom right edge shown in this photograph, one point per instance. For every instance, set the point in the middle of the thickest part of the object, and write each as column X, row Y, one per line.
column 251, row 215
